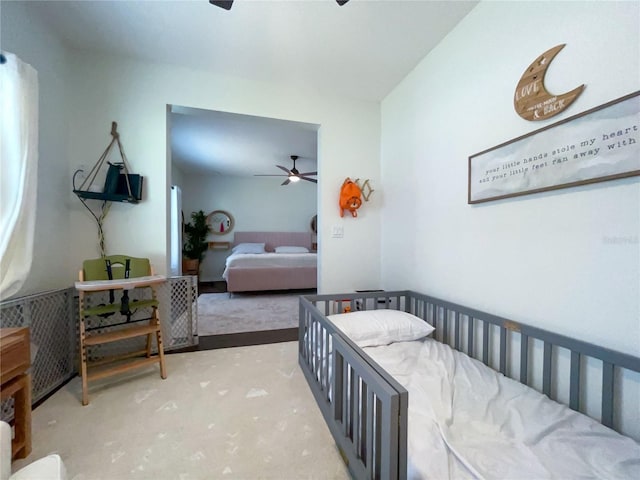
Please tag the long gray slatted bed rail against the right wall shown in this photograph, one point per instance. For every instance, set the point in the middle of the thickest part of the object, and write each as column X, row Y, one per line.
column 480, row 335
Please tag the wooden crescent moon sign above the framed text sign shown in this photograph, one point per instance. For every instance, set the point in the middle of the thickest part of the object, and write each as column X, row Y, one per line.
column 532, row 101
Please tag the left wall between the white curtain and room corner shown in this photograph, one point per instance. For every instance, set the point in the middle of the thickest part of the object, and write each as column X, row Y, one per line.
column 33, row 43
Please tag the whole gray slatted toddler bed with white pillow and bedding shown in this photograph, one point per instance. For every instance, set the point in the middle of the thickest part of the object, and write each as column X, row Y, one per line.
column 416, row 387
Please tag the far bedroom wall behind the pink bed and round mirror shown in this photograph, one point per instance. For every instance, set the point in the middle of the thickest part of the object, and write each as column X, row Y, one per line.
column 256, row 204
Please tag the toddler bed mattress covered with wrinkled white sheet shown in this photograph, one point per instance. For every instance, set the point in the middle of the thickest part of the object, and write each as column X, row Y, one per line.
column 467, row 421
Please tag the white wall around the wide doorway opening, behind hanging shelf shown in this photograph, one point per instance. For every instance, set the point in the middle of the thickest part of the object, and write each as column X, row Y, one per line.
column 136, row 96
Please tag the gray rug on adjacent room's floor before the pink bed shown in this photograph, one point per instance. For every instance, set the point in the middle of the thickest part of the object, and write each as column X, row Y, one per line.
column 222, row 313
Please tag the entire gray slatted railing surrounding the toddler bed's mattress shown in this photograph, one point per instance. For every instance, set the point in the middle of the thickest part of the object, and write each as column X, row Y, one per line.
column 366, row 409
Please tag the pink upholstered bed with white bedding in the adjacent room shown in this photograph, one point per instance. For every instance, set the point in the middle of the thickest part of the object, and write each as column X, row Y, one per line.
column 262, row 261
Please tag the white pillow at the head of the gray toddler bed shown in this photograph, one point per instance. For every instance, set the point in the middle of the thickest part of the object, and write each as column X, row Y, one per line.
column 372, row 328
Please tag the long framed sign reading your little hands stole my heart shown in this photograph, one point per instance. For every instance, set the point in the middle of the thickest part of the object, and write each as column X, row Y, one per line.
column 600, row 144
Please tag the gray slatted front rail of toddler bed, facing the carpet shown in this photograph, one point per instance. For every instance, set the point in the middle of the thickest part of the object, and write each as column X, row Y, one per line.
column 365, row 409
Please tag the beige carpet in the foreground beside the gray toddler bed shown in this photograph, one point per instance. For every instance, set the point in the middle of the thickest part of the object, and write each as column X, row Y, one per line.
column 238, row 413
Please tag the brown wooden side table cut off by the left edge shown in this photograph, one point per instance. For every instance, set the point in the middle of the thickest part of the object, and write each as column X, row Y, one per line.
column 15, row 360
